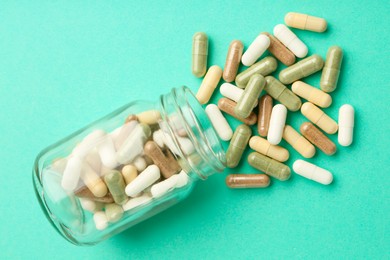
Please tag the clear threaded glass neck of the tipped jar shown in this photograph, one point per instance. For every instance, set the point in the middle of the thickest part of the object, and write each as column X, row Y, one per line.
column 180, row 109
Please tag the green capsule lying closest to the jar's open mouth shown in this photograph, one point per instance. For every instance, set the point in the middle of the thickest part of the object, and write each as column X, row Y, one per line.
column 237, row 145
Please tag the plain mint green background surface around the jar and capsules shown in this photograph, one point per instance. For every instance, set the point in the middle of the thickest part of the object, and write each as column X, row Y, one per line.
column 64, row 64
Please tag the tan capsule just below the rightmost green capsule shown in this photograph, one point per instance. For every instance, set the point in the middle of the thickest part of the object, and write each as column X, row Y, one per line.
column 312, row 94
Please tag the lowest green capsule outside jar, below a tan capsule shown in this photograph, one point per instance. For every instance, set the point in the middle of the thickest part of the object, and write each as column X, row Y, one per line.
column 269, row 166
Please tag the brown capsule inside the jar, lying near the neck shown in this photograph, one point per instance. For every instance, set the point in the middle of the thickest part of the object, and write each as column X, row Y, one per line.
column 167, row 164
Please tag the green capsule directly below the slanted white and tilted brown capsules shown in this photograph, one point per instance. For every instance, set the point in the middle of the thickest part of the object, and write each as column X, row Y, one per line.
column 263, row 67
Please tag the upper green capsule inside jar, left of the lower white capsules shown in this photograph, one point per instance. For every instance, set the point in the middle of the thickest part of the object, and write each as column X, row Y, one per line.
column 116, row 186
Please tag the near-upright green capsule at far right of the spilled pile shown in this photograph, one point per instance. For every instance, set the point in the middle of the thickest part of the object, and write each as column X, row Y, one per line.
column 331, row 71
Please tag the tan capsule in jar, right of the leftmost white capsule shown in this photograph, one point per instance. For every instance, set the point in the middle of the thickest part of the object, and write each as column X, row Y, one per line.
column 92, row 180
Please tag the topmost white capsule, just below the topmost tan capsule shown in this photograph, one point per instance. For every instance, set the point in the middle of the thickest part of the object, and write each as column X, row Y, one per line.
column 290, row 40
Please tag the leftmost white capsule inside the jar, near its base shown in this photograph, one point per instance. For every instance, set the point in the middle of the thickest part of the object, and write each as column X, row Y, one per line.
column 71, row 175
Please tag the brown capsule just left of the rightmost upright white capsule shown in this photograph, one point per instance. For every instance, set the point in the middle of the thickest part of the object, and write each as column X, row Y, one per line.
column 316, row 137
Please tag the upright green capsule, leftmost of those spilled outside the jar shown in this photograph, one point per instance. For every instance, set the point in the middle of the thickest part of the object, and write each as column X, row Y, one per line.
column 199, row 54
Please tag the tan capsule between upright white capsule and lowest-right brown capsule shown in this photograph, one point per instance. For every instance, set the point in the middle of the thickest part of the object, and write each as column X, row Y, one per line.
column 298, row 142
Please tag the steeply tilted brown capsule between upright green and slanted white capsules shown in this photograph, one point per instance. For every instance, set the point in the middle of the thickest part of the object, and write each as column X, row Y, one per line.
column 233, row 59
